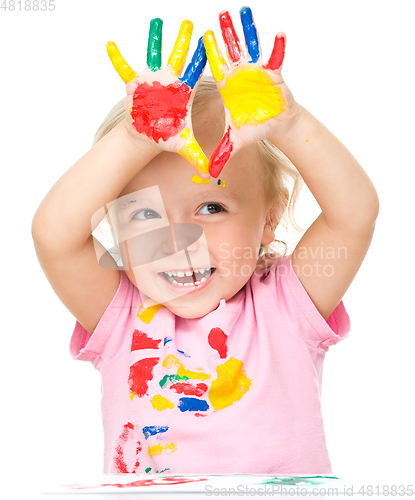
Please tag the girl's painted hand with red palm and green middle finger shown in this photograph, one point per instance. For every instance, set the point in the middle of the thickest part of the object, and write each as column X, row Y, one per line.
column 159, row 102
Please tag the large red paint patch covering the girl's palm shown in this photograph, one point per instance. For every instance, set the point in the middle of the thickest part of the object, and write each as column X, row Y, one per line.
column 158, row 111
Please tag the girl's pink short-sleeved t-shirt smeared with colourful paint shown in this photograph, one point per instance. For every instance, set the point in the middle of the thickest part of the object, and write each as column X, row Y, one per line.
column 235, row 391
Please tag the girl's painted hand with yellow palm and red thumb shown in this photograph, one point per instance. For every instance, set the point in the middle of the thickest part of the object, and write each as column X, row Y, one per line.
column 257, row 101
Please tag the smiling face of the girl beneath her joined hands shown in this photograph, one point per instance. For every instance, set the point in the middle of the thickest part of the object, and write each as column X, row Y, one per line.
column 223, row 228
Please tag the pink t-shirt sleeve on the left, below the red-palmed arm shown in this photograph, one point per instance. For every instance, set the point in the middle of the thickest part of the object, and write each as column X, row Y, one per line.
column 106, row 339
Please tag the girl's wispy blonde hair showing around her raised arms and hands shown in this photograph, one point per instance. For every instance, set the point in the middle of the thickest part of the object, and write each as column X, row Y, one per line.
column 279, row 173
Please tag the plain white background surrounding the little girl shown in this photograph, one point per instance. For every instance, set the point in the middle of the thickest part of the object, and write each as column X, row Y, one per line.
column 351, row 64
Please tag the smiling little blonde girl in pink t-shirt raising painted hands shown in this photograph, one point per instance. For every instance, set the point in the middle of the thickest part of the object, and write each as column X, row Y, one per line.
column 210, row 351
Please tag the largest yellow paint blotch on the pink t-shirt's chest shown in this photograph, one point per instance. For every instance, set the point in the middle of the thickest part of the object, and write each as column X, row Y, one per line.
column 231, row 384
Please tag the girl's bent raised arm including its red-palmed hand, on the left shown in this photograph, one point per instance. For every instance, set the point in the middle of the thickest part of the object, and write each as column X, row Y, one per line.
column 61, row 226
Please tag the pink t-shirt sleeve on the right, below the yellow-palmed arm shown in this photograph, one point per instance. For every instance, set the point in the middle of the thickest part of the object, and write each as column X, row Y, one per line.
column 300, row 313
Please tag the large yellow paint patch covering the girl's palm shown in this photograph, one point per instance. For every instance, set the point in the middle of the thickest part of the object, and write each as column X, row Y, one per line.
column 252, row 97
